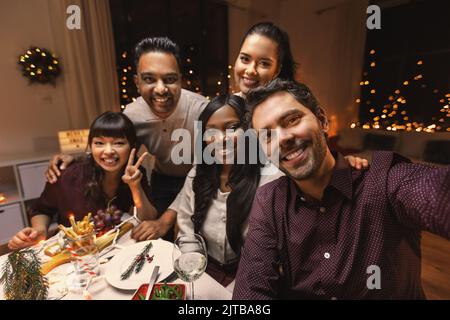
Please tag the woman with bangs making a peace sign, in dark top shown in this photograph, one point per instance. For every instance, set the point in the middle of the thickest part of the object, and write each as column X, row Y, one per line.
column 107, row 176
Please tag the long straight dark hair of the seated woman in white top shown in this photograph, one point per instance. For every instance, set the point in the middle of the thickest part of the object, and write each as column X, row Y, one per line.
column 243, row 179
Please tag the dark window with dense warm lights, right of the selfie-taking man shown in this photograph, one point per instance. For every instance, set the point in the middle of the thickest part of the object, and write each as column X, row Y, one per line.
column 406, row 76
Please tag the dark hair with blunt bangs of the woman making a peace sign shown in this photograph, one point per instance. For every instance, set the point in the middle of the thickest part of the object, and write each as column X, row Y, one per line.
column 108, row 124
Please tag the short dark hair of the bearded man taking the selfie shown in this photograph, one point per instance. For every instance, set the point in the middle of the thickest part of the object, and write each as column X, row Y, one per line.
column 298, row 90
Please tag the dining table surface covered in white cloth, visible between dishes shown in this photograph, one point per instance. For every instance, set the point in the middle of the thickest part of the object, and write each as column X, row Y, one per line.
column 206, row 288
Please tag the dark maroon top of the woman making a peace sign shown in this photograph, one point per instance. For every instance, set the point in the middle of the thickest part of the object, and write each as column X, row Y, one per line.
column 67, row 195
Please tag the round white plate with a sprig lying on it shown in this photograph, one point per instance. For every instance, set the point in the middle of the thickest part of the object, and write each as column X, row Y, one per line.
column 162, row 251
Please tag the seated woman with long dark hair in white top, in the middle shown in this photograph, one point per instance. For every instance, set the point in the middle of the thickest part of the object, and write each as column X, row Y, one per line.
column 216, row 198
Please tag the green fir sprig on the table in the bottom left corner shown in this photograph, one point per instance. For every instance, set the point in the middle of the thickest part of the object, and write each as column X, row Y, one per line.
column 22, row 277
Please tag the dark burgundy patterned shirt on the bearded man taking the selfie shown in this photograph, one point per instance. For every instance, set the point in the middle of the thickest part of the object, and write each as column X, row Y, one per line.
column 361, row 241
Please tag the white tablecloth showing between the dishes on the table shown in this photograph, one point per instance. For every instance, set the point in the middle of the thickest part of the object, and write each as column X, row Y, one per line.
column 206, row 288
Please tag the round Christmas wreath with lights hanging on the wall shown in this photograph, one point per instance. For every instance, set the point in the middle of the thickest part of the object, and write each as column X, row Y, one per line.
column 40, row 65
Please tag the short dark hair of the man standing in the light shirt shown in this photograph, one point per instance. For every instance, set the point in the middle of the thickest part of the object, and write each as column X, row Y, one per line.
column 157, row 44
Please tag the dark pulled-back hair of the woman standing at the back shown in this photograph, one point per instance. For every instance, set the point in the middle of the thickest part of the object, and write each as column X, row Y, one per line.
column 279, row 36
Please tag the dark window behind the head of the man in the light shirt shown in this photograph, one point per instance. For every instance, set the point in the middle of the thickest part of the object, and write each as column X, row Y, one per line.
column 199, row 27
